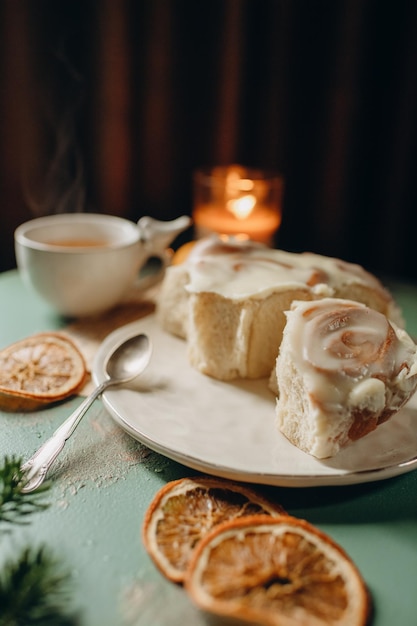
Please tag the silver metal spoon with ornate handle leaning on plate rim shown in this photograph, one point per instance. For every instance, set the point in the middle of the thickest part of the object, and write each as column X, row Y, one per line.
column 127, row 361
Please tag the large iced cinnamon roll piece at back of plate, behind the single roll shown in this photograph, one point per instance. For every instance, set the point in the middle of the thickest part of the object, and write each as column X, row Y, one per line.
column 228, row 298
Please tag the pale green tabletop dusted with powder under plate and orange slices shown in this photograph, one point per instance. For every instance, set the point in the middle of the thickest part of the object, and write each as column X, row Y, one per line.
column 104, row 481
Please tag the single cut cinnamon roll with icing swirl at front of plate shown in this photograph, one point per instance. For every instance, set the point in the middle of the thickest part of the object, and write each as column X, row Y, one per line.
column 342, row 370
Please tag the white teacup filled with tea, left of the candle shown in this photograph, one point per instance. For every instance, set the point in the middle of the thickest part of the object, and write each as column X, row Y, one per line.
column 85, row 263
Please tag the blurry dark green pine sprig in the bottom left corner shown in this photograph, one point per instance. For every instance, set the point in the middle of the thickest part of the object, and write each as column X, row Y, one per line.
column 34, row 591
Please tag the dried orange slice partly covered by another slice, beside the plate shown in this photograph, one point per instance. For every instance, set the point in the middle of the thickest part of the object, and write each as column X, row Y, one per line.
column 183, row 511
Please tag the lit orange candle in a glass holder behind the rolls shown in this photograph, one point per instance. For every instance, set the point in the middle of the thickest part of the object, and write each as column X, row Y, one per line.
column 234, row 200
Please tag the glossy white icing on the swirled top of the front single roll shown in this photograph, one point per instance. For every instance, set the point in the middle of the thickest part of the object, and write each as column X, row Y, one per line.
column 349, row 356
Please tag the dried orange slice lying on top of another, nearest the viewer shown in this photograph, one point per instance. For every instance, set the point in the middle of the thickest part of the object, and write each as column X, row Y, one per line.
column 276, row 572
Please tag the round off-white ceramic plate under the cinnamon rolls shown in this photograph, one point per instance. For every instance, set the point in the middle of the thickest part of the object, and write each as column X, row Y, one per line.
column 228, row 429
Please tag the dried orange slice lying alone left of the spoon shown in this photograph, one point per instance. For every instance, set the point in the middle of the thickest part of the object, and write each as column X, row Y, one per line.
column 38, row 370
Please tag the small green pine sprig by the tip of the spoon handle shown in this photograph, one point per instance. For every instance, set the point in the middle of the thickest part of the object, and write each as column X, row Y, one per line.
column 16, row 506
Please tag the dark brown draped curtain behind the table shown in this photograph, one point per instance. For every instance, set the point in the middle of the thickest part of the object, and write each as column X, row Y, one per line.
column 109, row 106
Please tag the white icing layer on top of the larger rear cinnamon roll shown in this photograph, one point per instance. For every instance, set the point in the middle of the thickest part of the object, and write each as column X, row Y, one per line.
column 241, row 269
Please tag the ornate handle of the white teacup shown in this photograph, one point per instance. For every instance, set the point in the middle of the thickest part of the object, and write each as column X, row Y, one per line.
column 156, row 236
